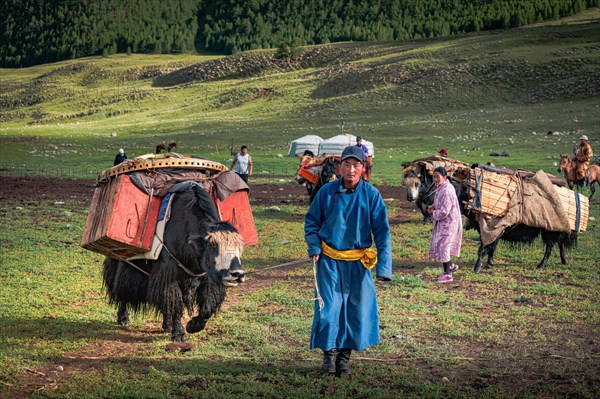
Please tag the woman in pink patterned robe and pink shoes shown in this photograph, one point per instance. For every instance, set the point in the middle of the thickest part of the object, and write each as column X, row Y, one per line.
column 446, row 239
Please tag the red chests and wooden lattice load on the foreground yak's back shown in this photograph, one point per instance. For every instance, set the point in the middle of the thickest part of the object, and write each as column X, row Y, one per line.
column 124, row 213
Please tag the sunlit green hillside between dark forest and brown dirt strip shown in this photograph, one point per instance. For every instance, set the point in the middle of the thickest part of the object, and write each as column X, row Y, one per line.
column 489, row 88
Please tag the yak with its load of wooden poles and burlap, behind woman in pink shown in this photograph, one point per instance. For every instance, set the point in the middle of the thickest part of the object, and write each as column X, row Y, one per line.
column 516, row 206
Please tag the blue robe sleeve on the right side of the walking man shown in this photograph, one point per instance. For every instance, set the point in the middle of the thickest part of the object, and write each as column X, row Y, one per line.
column 381, row 233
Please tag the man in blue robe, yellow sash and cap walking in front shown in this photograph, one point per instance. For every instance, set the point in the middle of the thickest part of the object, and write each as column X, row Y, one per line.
column 343, row 220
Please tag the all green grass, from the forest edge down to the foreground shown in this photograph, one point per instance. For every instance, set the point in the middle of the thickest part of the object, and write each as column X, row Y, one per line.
column 511, row 332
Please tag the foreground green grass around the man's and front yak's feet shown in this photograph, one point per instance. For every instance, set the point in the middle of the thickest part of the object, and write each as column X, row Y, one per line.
column 477, row 333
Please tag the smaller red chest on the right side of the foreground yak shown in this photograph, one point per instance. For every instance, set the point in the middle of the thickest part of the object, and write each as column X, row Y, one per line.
column 235, row 209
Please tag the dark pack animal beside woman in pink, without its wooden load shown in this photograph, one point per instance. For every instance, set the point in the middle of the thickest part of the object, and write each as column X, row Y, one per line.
column 518, row 233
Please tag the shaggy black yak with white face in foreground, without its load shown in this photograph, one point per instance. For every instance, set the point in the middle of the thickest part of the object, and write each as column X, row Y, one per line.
column 200, row 258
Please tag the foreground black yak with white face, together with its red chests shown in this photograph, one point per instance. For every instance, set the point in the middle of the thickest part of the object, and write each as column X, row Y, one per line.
column 173, row 230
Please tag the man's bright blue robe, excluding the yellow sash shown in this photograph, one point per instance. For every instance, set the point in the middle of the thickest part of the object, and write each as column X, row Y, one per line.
column 347, row 220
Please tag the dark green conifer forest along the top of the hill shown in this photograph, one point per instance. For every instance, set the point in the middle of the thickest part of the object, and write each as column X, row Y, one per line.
column 41, row 31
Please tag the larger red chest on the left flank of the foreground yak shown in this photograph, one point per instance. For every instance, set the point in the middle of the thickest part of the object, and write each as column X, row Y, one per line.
column 122, row 219
